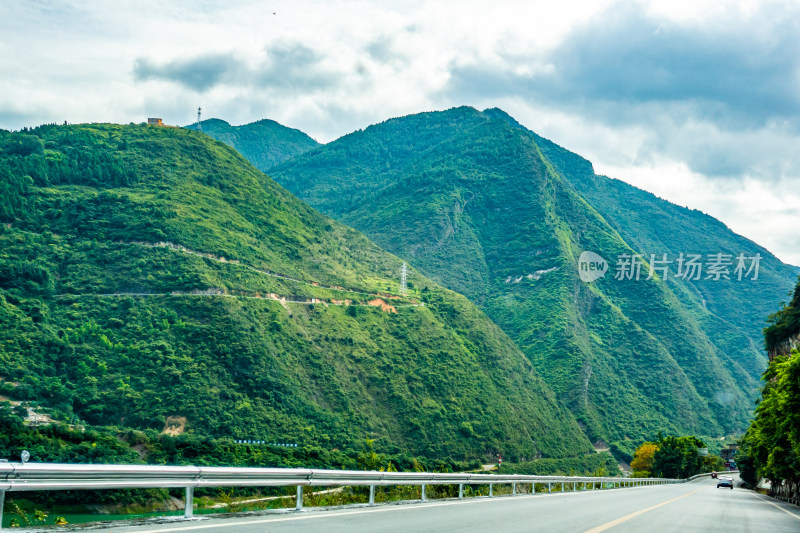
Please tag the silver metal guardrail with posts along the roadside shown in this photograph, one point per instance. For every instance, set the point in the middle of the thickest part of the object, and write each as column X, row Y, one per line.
column 57, row 476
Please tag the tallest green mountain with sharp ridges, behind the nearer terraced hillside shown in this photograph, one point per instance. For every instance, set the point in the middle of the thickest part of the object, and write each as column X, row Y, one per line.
column 491, row 210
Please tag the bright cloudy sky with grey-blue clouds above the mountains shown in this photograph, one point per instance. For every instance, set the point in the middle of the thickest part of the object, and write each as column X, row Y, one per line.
column 695, row 101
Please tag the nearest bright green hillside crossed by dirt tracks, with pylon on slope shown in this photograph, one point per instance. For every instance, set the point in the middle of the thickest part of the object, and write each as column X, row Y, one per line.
column 150, row 277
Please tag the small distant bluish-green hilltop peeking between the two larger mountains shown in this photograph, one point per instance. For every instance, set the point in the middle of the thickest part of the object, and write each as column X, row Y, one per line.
column 266, row 142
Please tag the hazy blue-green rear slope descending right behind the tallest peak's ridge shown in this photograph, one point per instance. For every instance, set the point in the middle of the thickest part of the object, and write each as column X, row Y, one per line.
column 731, row 313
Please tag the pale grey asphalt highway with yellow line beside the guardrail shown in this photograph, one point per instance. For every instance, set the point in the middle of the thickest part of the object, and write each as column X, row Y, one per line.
column 697, row 506
